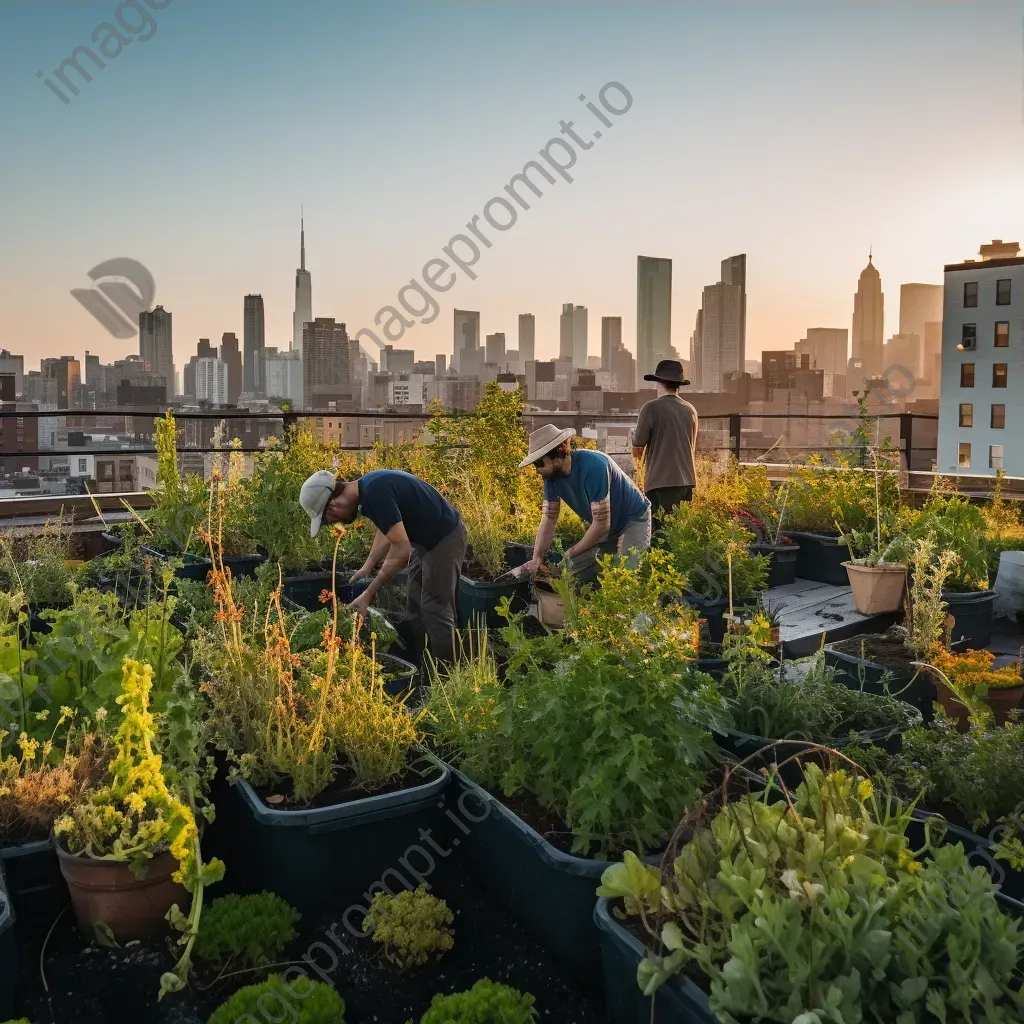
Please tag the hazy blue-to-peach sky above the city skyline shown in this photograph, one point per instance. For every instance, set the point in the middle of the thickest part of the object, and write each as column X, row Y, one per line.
column 797, row 134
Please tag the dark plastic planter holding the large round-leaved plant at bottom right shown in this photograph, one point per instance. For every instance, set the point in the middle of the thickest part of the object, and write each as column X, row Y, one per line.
column 679, row 1001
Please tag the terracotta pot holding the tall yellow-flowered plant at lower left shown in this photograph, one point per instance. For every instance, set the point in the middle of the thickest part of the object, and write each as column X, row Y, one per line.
column 107, row 891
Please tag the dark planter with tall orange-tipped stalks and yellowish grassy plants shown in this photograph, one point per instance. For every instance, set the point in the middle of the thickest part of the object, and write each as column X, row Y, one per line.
column 323, row 759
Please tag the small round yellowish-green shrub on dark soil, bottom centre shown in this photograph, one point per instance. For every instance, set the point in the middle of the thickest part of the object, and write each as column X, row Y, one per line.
column 413, row 927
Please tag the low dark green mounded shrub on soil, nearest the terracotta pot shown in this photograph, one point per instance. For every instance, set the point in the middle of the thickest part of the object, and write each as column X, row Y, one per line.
column 246, row 931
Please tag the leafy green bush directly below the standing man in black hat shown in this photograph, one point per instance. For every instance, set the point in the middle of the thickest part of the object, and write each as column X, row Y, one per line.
column 714, row 552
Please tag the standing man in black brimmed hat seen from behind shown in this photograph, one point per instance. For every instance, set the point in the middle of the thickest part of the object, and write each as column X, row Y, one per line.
column 666, row 441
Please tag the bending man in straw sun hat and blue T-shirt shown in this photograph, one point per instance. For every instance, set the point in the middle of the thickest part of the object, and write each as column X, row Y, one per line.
column 594, row 487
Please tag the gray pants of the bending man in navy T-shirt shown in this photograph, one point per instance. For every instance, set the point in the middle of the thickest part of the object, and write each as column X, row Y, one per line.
column 434, row 591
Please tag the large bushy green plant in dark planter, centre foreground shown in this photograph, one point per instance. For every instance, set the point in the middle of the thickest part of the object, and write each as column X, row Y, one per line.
column 541, row 757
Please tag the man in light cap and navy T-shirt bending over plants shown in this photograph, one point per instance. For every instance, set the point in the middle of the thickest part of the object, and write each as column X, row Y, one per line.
column 415, row 526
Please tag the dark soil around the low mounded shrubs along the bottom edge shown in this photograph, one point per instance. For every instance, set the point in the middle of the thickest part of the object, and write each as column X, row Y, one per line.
column 92, row 986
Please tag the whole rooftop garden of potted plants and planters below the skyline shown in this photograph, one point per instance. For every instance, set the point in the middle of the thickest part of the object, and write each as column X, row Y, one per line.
column 224, row 797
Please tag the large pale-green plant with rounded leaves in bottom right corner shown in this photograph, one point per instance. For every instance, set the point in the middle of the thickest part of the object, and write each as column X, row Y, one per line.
column 794, row 916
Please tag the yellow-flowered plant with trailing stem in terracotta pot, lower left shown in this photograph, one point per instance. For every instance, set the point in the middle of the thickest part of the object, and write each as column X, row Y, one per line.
column 131, row 850
